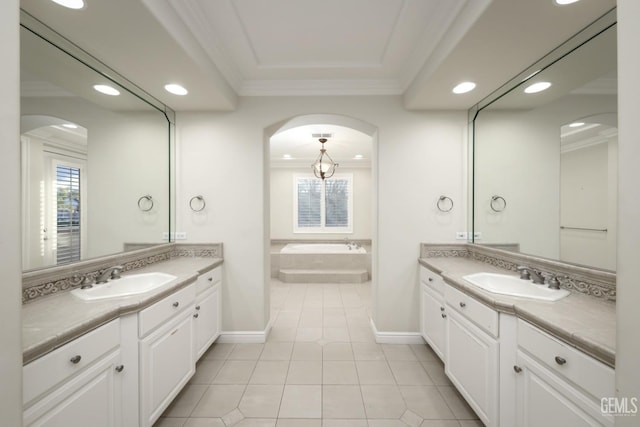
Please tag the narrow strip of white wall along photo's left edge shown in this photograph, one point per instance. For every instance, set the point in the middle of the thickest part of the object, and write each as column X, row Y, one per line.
column 10, row 265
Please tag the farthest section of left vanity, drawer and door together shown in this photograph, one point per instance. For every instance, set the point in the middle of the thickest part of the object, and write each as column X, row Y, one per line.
column 208, row 313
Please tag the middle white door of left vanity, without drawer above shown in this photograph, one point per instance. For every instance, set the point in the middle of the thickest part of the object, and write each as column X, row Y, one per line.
column 166, row 364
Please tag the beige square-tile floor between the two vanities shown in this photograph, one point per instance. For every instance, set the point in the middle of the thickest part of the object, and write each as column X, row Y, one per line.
column 320, row 367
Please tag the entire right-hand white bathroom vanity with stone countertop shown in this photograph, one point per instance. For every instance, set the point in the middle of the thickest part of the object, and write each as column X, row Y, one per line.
column 517, row 361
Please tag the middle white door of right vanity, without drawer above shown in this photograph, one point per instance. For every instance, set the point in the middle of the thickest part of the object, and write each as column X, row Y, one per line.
column 472, row 365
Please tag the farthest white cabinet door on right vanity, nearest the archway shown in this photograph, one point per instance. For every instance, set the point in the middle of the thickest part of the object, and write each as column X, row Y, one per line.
column 433, row 320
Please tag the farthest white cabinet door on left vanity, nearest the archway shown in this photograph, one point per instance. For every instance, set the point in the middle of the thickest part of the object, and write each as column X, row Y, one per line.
column 206, row 323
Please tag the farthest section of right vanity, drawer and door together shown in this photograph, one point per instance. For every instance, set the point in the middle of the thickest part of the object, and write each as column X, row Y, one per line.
column 433, row 317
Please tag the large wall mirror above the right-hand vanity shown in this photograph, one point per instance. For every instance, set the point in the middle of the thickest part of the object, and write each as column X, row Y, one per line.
column 545, row 163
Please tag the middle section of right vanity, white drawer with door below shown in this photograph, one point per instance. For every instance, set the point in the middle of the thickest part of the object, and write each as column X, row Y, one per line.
column 472, row 354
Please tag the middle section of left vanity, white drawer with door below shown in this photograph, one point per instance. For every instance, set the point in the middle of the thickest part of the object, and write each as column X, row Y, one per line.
column 166, row 358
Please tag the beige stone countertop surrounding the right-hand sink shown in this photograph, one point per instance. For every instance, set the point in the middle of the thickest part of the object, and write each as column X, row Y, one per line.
column 584, row 322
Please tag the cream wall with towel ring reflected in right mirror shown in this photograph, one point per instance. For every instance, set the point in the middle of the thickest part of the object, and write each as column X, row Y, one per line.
column 517, row 157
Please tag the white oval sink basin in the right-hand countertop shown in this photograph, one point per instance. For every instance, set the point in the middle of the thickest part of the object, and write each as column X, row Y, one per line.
column 513, row 286
